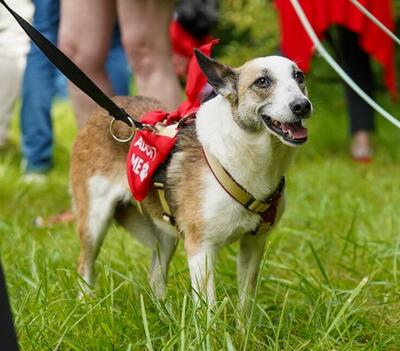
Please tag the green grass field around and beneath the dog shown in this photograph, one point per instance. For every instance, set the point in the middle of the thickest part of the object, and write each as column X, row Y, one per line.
column 330, row 277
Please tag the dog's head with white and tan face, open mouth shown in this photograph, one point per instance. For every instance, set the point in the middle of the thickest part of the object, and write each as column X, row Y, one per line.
column 266, row 94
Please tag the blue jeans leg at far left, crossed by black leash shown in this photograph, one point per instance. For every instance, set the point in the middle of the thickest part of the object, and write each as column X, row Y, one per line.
column 37, row 94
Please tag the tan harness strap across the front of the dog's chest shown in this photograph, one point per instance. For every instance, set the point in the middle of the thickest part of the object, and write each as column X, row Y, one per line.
column 265, row 208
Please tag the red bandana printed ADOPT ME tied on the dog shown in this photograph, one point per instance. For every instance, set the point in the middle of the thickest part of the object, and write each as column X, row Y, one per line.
column 149, row 150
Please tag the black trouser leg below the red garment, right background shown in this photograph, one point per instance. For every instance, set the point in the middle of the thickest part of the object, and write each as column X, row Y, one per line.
column 357, row 65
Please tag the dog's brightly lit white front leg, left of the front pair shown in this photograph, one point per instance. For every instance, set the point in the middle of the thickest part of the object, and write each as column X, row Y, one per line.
column 201, row 263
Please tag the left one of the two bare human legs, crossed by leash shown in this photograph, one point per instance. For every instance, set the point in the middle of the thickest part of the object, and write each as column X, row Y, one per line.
column 85, row 35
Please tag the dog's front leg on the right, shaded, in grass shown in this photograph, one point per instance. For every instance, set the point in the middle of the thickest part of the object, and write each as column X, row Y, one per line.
column 248, row 263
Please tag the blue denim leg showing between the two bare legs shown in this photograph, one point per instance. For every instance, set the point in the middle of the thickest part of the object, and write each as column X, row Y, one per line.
column 117, row 66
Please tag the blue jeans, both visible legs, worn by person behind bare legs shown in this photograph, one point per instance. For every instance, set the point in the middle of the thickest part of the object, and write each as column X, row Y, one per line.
column 40, row 84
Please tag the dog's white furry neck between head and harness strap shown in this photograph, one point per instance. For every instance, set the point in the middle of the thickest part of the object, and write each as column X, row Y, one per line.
column 257, row 161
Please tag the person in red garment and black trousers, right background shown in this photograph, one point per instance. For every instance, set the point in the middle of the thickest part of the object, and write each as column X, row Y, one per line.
column 358, row 39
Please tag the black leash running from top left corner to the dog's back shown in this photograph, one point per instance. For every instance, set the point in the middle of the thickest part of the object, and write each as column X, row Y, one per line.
column 72, row 72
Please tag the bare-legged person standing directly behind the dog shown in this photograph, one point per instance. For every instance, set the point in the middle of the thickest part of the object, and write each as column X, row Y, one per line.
column 85, row 35
